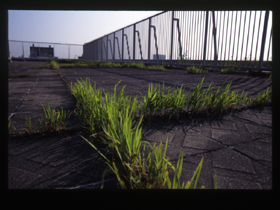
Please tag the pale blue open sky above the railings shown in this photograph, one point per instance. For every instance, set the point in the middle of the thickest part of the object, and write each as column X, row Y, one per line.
column 74, row 27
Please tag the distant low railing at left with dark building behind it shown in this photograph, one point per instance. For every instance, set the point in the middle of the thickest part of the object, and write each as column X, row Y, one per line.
column 44, row 50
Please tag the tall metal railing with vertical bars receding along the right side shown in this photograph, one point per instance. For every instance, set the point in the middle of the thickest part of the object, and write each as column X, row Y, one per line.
column 216, row 39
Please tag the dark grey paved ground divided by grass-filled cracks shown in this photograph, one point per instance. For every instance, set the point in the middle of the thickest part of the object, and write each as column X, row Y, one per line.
column 237, row 146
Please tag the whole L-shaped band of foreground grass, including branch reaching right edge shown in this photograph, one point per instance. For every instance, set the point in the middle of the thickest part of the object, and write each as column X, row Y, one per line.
column 112, row 116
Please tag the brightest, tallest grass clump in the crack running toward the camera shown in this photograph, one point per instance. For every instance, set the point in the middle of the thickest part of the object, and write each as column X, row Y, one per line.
column 113, row 118
